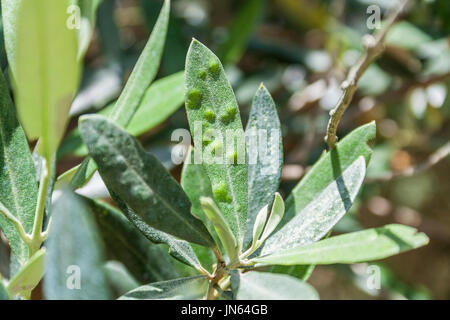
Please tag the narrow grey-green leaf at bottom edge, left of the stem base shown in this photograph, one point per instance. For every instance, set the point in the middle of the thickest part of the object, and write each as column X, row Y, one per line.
column 179, row 289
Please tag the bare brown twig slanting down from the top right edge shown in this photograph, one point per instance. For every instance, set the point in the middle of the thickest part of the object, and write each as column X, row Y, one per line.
column 374, row 46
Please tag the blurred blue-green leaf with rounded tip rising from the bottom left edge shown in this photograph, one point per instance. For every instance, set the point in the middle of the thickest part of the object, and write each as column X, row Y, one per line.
column 75, row 259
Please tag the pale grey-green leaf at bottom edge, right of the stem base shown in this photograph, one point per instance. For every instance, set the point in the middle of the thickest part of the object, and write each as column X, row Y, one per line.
column 269, row 286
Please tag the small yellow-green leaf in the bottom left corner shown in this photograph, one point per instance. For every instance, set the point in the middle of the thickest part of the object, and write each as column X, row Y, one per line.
column 29, row 275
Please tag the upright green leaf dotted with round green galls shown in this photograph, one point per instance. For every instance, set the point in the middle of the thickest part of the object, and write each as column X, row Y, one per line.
column 217, row 95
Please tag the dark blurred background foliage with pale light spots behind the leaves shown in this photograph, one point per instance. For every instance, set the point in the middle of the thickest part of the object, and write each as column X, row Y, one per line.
column 301, row 50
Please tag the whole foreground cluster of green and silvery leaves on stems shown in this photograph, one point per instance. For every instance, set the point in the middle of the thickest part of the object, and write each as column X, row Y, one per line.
column 222, row 233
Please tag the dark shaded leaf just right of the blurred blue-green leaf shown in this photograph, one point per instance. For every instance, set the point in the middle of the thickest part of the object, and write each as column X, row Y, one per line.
column 146, row 261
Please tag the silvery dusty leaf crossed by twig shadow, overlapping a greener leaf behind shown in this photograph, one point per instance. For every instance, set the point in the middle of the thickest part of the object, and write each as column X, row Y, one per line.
column 317, row 218
